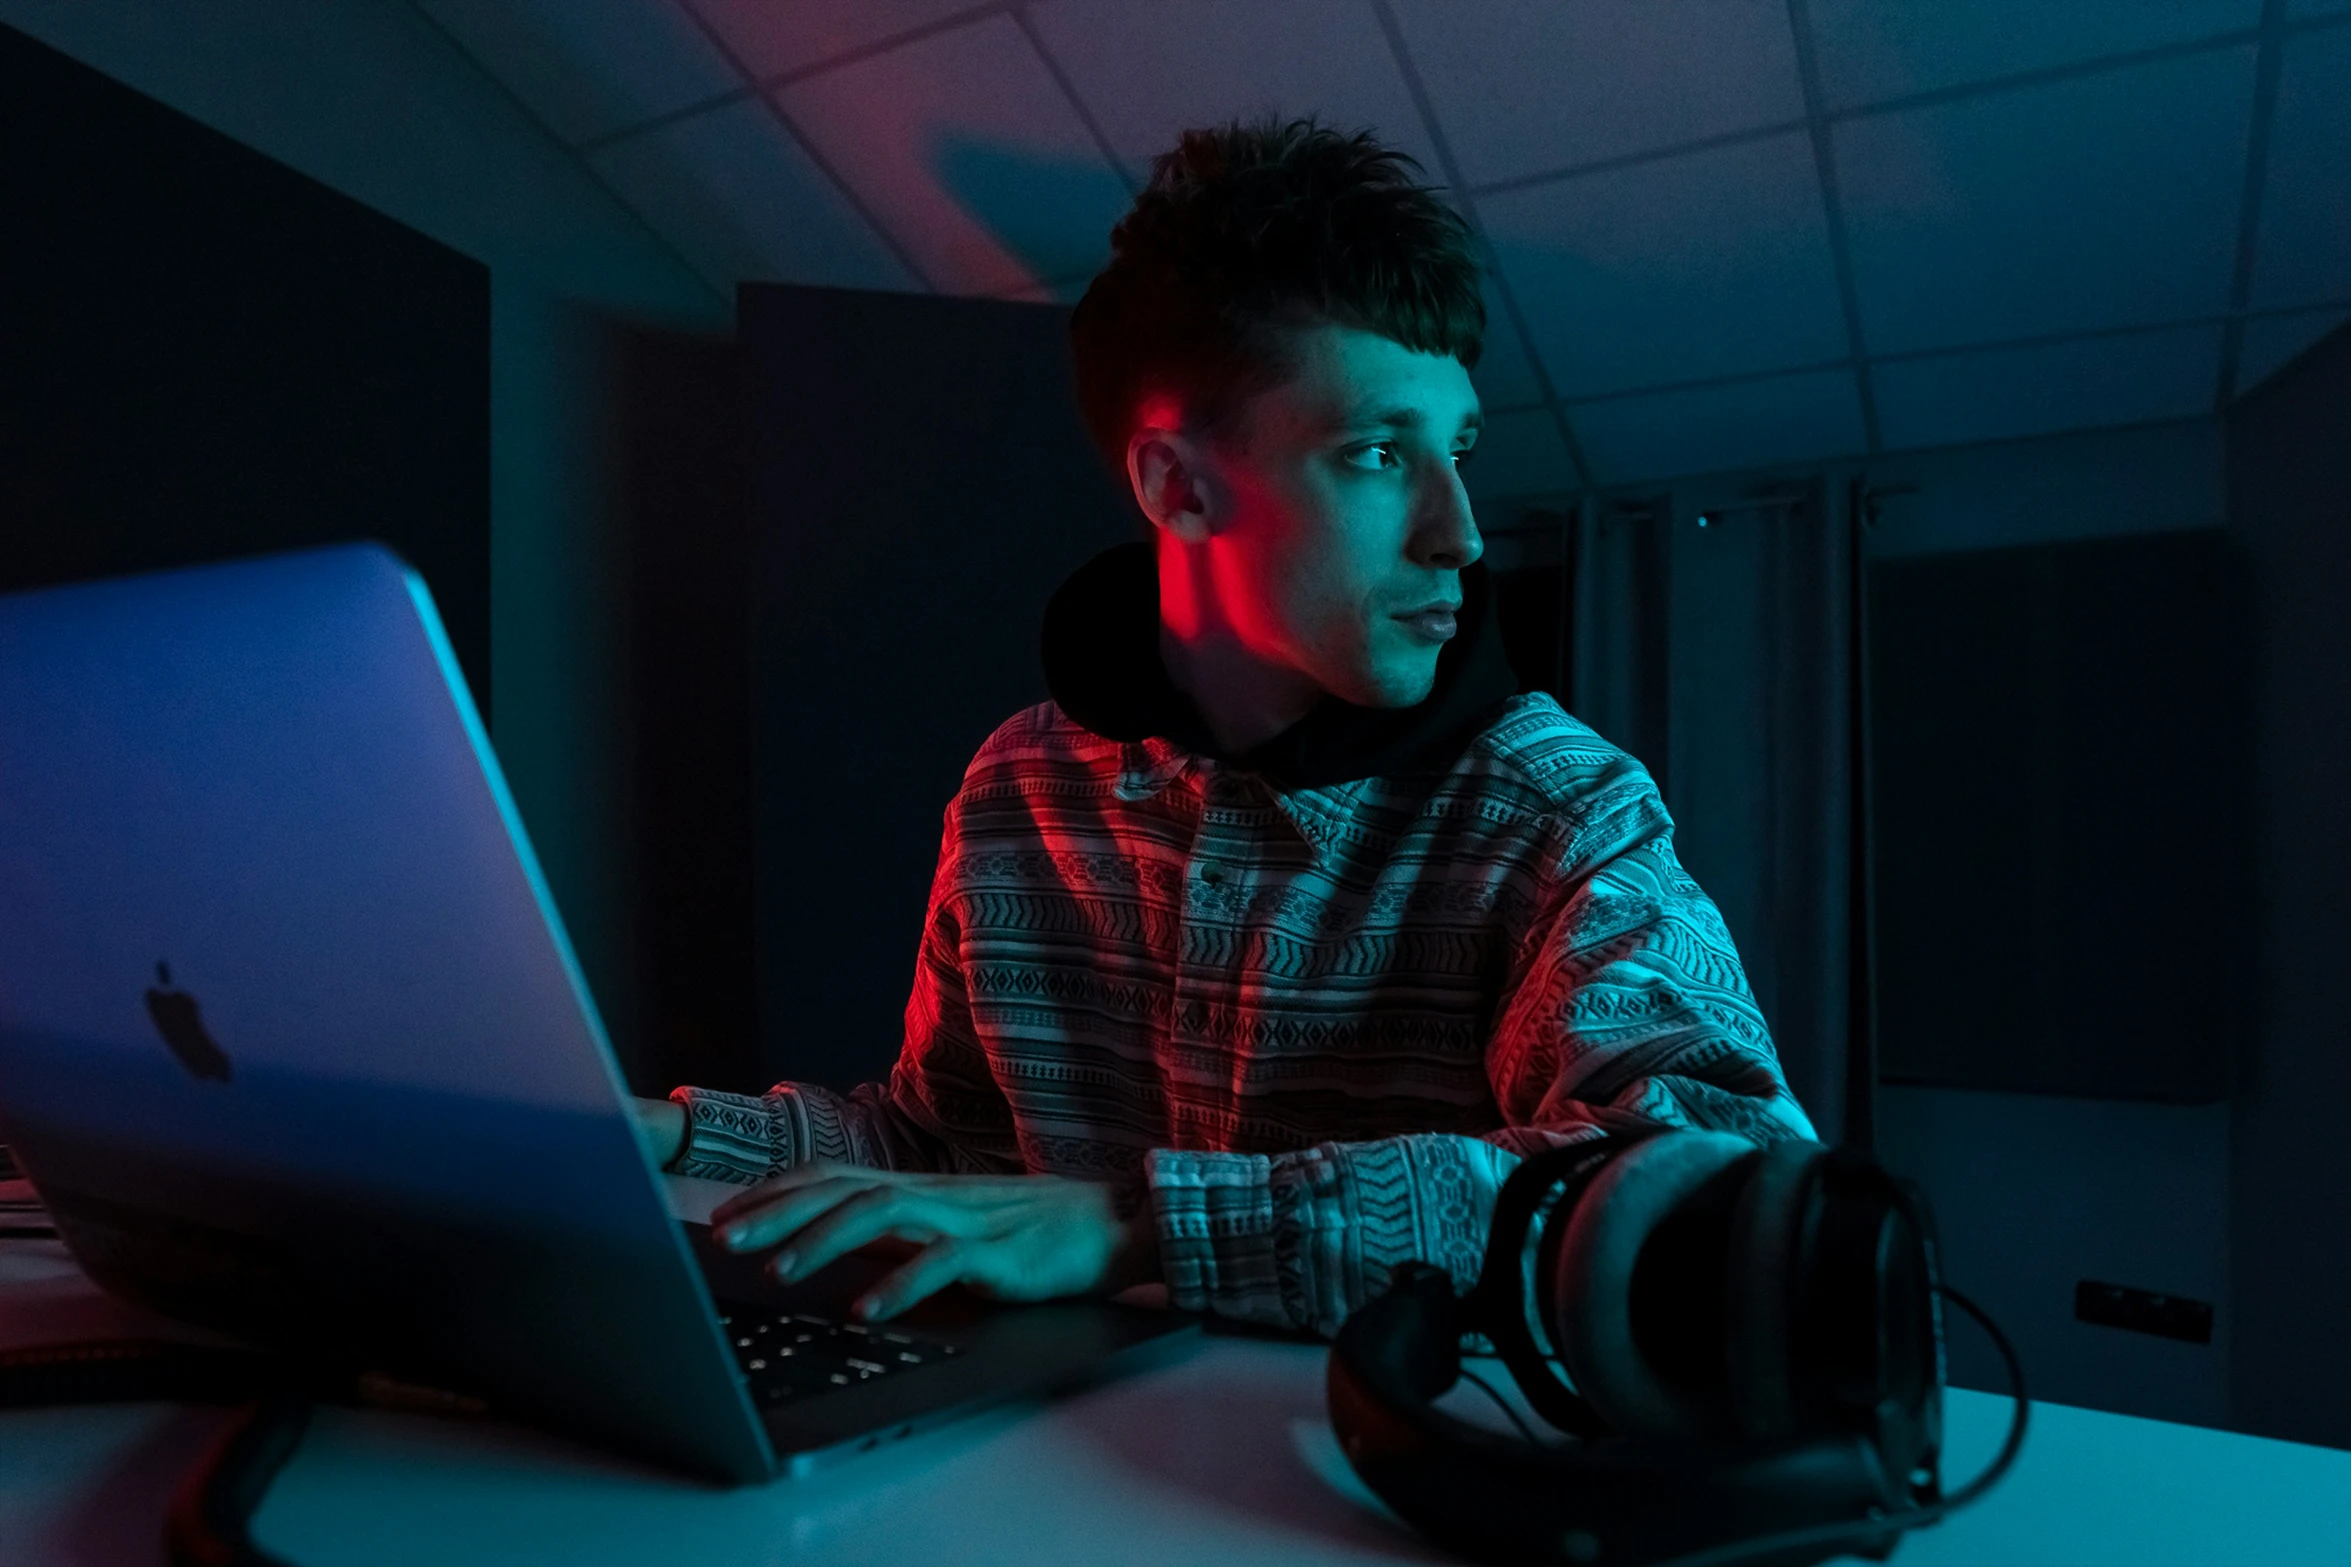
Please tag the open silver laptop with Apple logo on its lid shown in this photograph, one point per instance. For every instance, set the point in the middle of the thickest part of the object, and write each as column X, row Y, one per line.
column 293, row 1047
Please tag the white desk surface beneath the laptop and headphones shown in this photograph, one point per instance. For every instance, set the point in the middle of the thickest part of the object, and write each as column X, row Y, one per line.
column 1221, row 1455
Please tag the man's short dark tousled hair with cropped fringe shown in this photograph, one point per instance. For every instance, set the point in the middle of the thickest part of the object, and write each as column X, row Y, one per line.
column 1250, row 229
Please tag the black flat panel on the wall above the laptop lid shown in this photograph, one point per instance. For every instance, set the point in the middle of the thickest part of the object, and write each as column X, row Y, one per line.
column 206, row 354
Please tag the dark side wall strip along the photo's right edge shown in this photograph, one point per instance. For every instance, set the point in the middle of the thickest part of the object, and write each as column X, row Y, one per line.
column 2291, row 1188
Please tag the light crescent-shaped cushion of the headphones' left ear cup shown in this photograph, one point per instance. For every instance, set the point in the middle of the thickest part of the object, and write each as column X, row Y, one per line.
column 1593, row 1282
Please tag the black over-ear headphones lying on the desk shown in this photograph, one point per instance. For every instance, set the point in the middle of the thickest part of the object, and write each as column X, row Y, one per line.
column 1753, row 1338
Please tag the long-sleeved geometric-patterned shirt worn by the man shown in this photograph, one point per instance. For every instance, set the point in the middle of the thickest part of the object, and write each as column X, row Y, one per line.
column 1318, row 1016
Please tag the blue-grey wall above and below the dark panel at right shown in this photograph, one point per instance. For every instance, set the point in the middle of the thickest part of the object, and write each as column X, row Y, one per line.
column 2037, row 1192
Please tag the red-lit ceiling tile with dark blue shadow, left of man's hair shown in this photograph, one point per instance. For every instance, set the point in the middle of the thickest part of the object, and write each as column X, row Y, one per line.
column 972, row 156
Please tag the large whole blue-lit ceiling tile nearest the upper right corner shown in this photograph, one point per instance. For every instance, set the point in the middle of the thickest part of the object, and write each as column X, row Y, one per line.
column 2077, row 206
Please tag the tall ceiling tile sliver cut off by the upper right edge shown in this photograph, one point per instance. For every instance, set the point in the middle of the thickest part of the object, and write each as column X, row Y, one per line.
column 2305, row 248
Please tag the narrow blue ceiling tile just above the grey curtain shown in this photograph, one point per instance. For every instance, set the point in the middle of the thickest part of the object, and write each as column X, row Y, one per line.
column 1722, row 429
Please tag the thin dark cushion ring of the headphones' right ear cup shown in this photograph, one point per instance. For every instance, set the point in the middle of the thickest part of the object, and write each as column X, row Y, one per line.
column 1764, row 1237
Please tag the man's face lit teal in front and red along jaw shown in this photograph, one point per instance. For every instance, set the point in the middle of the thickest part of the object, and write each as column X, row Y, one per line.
column 1339, row 523
